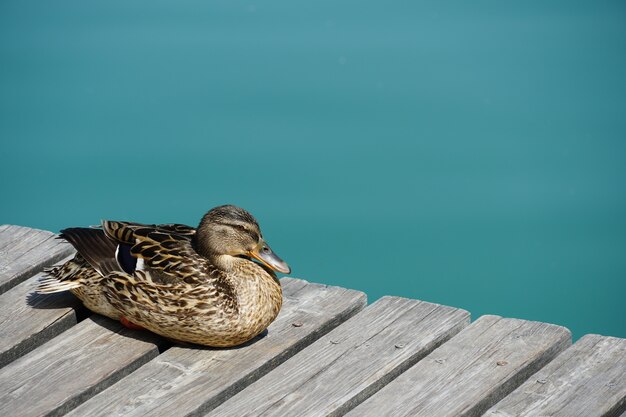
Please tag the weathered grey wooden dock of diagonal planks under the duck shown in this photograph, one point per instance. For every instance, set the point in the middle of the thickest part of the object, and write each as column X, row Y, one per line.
column 327, row 353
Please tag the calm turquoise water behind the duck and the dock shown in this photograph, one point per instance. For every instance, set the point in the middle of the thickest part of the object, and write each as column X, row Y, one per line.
column 465, row 153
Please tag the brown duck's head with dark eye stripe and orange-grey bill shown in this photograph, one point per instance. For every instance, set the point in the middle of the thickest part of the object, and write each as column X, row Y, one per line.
column 228, row 232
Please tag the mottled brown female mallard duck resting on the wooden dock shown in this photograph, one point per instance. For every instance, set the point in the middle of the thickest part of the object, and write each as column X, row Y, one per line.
column 200, row 286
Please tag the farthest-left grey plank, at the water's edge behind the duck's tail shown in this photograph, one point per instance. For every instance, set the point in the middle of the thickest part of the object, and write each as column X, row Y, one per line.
column 25, row 251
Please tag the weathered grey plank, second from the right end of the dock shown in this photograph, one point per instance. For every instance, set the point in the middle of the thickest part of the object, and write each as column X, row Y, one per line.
column 470, row 372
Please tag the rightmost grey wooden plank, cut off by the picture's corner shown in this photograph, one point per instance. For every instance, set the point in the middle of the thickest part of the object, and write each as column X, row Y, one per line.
column 588, row 379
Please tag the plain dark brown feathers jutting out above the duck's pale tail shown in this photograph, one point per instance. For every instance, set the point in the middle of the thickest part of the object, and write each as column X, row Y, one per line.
column 93, row 244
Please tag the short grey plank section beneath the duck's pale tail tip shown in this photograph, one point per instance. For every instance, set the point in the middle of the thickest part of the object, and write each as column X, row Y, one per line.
column 28, row 320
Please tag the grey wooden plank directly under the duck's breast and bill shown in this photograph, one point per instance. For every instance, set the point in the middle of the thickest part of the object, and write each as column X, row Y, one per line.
column 185, row 381
